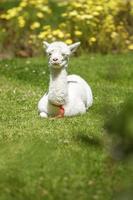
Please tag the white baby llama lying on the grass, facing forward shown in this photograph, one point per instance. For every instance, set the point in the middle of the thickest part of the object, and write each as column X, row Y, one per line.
column 67, row 95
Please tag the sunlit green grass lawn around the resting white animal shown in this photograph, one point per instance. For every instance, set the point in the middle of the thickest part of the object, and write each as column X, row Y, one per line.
column 62, row 159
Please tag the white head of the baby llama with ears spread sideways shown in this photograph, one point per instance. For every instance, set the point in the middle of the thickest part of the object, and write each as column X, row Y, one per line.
column 58, row 53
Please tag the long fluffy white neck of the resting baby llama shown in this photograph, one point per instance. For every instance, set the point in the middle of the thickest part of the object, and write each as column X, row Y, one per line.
column 58, row 90
